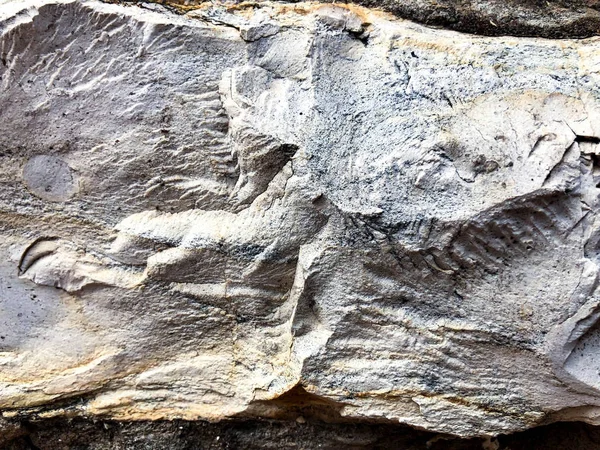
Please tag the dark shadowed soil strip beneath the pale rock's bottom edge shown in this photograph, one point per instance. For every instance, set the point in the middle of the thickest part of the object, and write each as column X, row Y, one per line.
column 80, row 434
